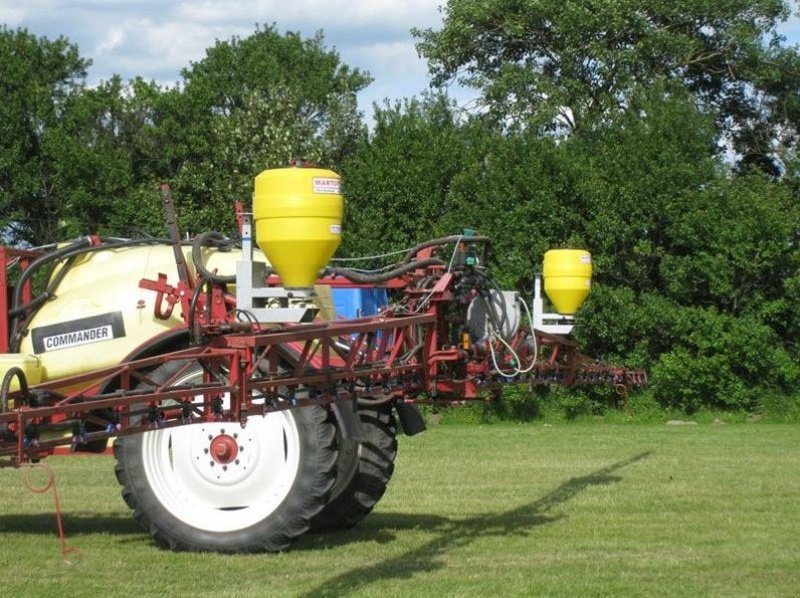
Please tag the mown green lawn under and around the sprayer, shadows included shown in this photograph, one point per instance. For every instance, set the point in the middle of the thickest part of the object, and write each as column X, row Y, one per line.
column 501, row 510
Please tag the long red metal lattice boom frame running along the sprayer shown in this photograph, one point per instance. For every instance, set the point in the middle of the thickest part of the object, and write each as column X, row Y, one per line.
column 397, row 358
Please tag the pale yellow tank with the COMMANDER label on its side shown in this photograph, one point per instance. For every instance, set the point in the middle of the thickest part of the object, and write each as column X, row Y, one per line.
column 99, row 315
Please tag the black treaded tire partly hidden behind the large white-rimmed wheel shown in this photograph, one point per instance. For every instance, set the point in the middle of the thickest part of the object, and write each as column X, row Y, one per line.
column 364, row 470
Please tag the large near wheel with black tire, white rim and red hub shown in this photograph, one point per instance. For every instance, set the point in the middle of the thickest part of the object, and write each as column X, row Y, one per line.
column 276, row 476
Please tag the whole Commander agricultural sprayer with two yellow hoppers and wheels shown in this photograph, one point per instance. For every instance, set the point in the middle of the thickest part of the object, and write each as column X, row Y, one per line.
column 240, row 417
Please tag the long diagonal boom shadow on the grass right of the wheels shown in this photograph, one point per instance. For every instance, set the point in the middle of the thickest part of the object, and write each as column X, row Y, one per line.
column 451, row 533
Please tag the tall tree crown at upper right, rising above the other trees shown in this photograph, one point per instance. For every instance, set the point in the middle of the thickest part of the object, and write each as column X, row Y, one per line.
column 571, row 64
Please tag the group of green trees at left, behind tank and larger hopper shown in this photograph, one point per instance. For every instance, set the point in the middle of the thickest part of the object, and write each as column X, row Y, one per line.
column 78, row 160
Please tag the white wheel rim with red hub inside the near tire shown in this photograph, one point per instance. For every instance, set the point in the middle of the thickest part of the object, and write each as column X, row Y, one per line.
column 233, row 491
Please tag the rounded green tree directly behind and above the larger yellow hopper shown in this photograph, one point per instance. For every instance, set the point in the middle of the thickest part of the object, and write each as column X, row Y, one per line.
column 250, row 104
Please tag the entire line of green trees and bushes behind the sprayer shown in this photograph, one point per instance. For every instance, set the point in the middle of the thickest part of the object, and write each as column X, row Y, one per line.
column 661, row 136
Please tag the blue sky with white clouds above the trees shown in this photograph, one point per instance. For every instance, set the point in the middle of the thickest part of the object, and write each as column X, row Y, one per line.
column 157, row 38
